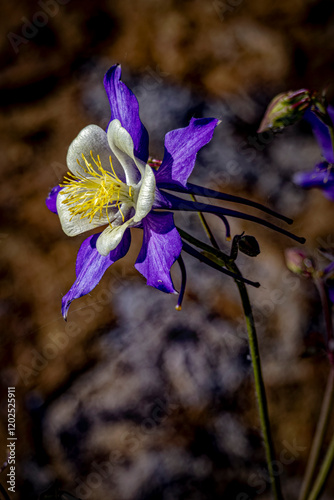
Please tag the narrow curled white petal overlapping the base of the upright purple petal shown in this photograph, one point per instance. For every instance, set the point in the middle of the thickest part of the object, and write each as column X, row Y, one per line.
column 121, row 144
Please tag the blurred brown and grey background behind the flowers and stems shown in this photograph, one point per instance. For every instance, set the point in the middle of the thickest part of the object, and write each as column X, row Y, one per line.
column 130, row 399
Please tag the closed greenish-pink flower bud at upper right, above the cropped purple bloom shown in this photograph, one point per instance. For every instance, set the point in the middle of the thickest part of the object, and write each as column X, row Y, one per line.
column 286, row 109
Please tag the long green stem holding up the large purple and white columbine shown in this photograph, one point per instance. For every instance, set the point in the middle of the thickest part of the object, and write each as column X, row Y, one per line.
column 226, row 261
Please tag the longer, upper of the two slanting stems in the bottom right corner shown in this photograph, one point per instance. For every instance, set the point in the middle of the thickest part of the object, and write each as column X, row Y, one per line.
column 319, row 436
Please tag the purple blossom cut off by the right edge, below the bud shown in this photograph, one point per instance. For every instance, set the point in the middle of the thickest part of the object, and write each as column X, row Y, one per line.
column 322, row 176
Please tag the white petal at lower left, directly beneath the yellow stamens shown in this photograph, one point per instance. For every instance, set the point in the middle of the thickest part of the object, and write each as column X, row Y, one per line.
column 74, row 225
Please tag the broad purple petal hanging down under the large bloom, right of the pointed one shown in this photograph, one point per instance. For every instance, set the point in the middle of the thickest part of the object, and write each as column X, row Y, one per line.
column 161, row 247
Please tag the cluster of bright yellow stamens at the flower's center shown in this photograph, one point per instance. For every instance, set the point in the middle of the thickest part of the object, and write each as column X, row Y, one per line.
column 95, row 192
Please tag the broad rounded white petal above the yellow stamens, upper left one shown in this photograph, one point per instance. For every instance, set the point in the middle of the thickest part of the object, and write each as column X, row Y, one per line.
column 92, row 138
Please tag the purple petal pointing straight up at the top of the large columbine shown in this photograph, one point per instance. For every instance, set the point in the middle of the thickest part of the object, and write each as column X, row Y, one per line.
column 124, row 106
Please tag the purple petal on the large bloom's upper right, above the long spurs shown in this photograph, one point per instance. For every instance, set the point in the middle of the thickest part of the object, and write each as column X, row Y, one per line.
column 181, row 148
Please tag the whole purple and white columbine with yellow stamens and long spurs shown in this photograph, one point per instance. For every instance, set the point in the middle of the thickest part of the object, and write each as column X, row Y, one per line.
column 112, row 184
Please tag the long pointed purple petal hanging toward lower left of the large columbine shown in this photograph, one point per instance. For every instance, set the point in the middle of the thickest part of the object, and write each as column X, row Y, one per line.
column 91, row 266
